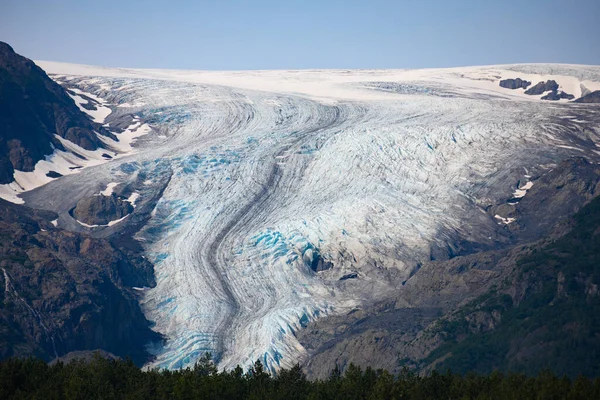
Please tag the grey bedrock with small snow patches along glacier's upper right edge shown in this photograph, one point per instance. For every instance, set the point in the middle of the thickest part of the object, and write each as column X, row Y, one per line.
column 541, row 201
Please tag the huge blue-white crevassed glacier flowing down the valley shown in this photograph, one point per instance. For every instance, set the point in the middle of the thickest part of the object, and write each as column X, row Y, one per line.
column 266, row 174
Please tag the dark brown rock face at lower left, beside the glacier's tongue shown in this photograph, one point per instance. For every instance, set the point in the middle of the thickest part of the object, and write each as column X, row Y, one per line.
column 63, row 291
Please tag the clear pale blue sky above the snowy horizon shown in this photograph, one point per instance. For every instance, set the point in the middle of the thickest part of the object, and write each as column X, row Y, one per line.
column 266, row 34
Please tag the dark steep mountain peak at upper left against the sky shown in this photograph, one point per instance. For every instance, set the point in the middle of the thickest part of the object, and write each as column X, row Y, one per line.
column 33, row 108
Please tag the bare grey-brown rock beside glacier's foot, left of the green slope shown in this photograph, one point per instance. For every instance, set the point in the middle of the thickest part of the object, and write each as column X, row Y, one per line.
column 389, row 334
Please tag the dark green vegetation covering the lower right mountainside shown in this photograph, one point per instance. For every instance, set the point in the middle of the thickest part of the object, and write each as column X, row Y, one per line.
column 555, row 321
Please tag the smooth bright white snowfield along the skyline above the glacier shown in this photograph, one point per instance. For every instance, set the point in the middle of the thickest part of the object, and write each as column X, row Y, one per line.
column 328, row 85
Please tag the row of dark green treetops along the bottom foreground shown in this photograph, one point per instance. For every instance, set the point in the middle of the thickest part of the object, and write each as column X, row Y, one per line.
column 110, row 379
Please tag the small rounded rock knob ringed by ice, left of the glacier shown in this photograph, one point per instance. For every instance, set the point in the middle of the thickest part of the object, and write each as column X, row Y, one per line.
column 100, row 210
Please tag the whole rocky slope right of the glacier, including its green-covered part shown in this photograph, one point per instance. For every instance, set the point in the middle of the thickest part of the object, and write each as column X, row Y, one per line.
column 522, row 307
